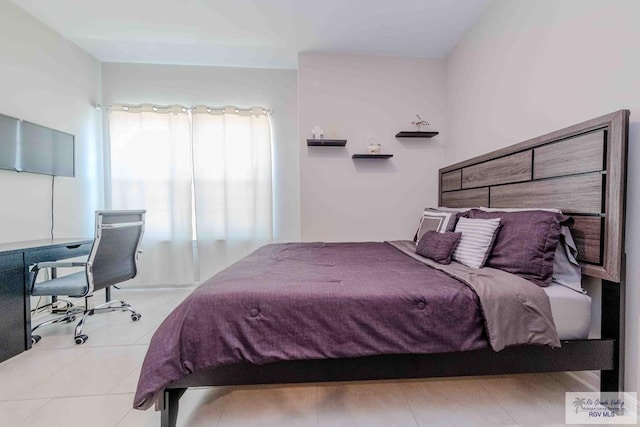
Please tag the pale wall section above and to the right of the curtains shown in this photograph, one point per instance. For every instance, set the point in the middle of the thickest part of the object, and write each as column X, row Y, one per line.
column 217, row 86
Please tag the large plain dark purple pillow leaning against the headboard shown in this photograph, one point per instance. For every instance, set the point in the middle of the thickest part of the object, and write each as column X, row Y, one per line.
column 526, row 243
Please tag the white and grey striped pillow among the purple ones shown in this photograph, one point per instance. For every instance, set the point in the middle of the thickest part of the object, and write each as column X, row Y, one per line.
column 477, row 239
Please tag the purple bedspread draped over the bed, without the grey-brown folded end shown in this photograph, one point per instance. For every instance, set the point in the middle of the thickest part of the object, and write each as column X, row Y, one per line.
column 312, row 301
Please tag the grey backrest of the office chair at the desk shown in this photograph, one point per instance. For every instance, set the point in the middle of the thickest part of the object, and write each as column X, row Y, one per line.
column 114, row 255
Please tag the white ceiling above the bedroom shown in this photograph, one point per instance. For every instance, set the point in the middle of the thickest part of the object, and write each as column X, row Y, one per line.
column 256, row 33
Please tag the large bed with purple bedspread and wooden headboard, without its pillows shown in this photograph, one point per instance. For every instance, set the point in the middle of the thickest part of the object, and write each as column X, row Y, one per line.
column 580, row 170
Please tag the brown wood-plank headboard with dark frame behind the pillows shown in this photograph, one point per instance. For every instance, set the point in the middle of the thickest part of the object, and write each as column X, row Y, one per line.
column 581, row 169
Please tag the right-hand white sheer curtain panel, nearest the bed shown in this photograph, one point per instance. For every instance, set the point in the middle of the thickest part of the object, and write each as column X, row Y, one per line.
column 232, row 183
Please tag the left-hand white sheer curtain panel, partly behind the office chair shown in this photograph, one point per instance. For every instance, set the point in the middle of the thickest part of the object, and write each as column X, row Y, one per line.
column 150, row 156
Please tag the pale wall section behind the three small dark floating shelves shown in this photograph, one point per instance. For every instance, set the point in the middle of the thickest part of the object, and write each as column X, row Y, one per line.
column 358, row 98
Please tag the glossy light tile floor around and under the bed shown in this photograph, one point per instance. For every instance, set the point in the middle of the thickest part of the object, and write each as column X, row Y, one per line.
column 58, row 383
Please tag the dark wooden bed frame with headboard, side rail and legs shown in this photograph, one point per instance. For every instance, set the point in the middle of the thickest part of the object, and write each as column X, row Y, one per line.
column 581, row 170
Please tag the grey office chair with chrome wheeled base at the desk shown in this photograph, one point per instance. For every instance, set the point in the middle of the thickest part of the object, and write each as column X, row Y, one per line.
column 113, row 259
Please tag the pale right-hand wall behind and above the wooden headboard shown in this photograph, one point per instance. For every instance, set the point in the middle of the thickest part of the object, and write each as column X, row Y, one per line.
column 531, row 67
